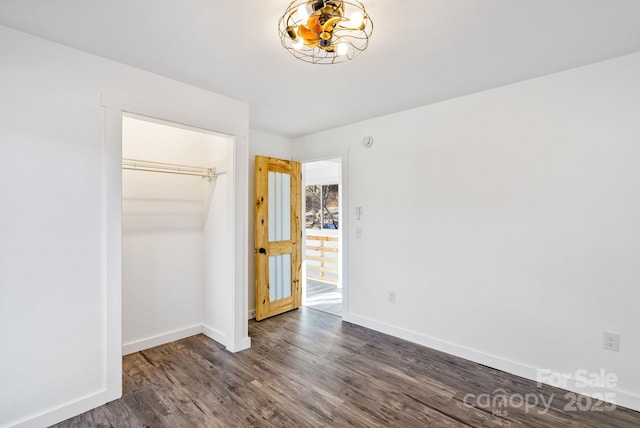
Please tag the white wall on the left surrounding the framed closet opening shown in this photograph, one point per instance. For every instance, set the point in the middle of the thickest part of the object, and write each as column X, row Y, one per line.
column 53, row 295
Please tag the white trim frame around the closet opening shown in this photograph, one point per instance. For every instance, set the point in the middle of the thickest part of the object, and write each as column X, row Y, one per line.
column 236, row 337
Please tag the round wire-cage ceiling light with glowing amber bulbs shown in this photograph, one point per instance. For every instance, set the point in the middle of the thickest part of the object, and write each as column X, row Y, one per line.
column 325, row 31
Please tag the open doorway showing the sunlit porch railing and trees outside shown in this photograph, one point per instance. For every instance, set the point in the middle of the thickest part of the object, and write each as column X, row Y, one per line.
column 322, row 199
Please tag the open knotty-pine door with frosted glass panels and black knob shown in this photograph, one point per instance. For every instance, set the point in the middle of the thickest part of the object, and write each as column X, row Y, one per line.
column 278, row 236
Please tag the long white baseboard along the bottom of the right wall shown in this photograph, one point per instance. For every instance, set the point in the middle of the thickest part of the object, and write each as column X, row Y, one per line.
column 617, row 396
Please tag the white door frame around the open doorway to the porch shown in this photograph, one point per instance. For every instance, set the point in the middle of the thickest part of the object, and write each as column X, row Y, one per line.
column 344, row 225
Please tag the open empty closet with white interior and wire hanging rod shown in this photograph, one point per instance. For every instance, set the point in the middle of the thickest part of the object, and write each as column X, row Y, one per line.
column 176, row 259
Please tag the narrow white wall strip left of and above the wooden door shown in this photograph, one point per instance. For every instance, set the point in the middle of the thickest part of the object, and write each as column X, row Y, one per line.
column 263, row 144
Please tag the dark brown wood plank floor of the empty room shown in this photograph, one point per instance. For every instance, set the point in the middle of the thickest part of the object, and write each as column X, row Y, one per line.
column 307, row 368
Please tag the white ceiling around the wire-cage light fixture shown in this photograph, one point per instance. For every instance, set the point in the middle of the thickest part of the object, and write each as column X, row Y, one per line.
column 421, row 51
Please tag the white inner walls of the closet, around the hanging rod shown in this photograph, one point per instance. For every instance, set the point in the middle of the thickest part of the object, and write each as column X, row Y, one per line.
column 163, row 233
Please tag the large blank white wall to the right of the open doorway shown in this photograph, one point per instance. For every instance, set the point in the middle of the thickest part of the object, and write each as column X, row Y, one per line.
column 506, row 221
